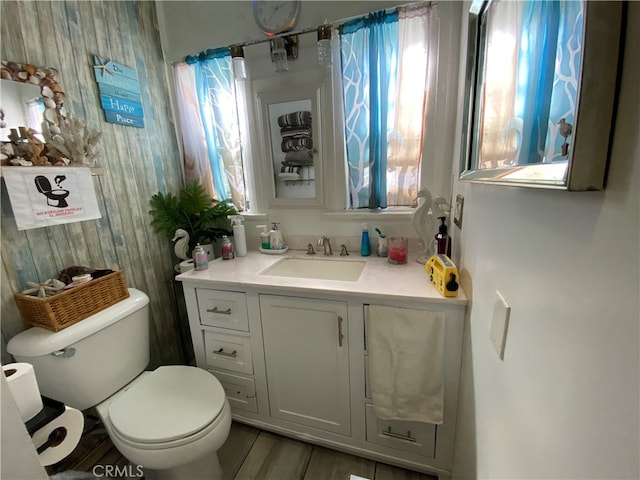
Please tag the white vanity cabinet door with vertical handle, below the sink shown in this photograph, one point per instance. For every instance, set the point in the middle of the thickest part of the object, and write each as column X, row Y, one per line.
column 307, row 361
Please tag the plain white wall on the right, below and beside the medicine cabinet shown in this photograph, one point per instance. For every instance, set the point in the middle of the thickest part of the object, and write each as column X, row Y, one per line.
column 564, row 402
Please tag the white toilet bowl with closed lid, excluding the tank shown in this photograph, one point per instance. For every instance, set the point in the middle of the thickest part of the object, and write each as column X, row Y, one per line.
column 171, row 422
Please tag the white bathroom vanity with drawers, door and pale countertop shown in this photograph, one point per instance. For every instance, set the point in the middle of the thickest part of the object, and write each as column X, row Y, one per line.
column 292, row 357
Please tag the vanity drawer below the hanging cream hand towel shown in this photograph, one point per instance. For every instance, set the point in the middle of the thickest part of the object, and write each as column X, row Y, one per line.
column 415, row 437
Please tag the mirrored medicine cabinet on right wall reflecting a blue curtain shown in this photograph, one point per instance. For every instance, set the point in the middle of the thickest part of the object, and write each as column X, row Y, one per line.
column 540, row 92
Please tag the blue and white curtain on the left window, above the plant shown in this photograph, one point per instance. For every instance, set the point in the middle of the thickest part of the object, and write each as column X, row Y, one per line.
column 206, row 93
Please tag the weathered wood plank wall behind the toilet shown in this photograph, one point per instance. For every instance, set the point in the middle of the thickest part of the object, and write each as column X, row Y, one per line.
column 137, row 162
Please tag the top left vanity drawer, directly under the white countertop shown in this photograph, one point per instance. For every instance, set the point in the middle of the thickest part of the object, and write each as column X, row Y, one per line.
column 223, row 309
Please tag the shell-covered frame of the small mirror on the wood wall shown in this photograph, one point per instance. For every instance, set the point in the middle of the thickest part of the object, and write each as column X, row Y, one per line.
column 44, row 77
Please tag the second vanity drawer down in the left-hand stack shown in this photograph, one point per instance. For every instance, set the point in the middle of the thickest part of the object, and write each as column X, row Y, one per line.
column 229, row 352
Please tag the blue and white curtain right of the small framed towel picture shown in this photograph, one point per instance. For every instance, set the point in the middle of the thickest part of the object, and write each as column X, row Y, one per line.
column 384, row 60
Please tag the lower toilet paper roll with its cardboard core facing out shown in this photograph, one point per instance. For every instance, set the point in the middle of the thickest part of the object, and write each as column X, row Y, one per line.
column 58, row 438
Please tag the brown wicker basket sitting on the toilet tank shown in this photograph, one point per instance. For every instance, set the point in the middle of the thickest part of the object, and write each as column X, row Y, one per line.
column 64, row 309
